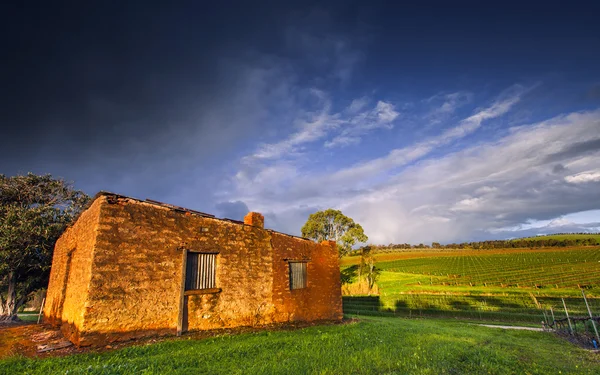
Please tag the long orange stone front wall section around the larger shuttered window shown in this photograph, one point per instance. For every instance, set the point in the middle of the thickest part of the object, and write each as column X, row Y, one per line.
column 137, row 273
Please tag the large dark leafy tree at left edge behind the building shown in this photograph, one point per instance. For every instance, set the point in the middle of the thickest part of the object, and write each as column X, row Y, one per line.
column 34, row 211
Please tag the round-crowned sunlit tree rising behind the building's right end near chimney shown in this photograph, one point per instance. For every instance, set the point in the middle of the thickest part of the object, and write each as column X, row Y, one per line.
column 333, row 225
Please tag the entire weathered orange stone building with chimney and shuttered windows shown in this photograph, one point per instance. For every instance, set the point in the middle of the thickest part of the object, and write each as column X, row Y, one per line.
column 129, row 268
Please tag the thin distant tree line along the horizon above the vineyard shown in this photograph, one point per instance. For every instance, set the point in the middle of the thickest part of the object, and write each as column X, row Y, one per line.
column 541, row 241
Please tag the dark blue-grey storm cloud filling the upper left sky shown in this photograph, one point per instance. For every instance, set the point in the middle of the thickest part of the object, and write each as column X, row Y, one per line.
column 136, row 97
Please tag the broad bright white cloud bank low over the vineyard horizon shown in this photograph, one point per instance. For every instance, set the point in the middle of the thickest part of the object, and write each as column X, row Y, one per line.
column 524, row 188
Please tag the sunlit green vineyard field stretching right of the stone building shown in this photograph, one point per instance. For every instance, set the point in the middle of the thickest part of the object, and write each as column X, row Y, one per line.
column 510, row 285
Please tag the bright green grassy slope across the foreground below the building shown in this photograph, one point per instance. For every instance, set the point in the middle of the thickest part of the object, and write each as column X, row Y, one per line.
column 374, row 345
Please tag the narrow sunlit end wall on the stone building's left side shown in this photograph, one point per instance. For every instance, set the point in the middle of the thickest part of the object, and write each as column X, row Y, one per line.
column 71, row 272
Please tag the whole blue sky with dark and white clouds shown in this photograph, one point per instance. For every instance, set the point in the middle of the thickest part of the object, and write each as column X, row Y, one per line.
column 429, row 122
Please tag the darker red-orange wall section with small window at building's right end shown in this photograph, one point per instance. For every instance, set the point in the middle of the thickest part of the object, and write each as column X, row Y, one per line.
column 321, row 299
